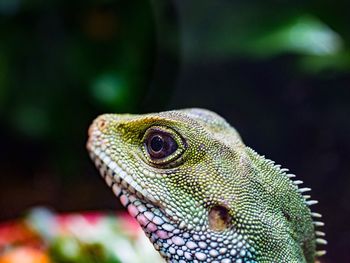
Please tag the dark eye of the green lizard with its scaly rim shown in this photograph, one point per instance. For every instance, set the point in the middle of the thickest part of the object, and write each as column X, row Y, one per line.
column 162, row 145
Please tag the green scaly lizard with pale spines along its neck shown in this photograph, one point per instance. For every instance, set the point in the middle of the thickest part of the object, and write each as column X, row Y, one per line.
column 199, row 193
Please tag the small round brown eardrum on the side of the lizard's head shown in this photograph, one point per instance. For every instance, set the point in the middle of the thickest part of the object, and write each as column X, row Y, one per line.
column 219, row 218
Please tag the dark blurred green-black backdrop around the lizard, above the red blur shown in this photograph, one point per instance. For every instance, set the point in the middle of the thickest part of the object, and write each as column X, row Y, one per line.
column 278, row 71
